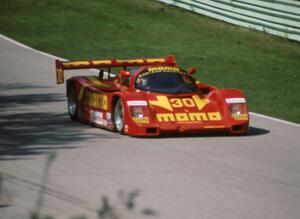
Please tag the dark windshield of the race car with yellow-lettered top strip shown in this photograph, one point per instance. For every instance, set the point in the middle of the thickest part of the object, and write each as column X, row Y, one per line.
column 165, row 80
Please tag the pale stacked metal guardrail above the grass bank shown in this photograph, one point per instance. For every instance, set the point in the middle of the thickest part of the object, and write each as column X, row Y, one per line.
column 277, row 17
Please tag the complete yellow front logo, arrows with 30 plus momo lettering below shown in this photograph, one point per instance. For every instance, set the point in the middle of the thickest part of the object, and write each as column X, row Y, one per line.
column 194, row 102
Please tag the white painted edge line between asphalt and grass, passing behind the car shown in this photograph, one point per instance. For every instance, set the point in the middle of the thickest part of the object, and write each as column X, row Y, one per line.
column 56, row 57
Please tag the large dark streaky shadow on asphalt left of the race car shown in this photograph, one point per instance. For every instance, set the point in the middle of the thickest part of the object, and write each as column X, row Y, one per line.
column 24, row 131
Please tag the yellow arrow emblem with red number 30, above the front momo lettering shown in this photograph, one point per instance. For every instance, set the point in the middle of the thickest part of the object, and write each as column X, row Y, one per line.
column 169, row 104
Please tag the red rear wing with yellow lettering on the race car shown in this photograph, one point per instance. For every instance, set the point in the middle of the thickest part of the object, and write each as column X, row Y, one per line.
column 109, row 63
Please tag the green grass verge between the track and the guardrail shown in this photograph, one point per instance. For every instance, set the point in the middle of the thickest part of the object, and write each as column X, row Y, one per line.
column 265, row 67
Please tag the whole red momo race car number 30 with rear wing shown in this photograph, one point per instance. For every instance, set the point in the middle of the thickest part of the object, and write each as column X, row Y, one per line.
column 149, row 97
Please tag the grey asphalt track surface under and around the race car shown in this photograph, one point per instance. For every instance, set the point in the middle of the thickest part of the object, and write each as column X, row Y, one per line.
column 190, row 177
